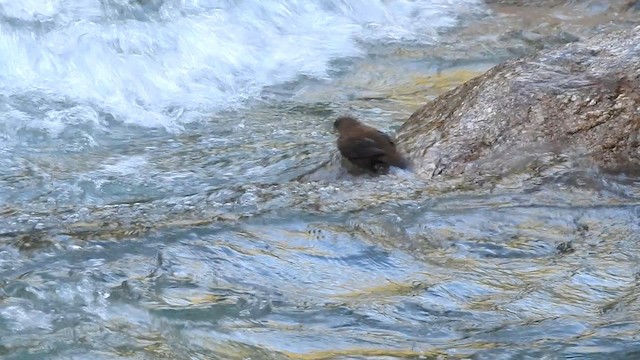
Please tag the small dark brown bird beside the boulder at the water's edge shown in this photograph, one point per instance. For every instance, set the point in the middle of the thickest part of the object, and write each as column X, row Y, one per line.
column 366, row 147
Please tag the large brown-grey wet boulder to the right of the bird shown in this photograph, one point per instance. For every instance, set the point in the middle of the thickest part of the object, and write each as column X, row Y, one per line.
column 577, row 102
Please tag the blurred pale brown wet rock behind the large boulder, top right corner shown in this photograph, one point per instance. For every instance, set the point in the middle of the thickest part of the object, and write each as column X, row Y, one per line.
column 542, row 25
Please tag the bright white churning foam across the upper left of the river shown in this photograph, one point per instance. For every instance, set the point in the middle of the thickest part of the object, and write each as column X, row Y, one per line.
column 189, row 55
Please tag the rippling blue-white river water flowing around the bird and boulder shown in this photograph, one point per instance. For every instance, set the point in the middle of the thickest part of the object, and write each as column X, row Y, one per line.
column 147, row 149
